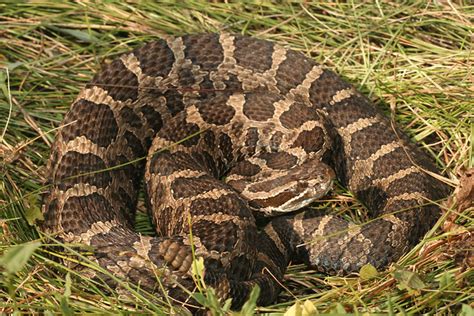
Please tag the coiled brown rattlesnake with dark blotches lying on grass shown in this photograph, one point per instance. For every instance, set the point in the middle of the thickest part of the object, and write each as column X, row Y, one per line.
column 234, row 128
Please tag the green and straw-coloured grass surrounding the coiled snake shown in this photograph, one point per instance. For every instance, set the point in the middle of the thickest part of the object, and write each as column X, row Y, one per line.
column 413, row 58
